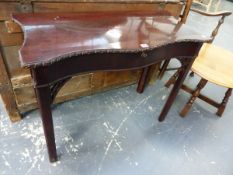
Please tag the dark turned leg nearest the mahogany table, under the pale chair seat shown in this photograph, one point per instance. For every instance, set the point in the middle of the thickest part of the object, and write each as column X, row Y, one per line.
column 195, row 94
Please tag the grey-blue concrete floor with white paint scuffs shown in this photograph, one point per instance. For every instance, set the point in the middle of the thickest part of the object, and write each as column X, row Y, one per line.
column 117, row 132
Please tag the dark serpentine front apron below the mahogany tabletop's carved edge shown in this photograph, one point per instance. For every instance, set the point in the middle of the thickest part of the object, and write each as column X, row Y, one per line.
column 50, row 73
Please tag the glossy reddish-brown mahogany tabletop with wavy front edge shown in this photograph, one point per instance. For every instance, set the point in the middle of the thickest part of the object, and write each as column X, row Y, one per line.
column 53, row 36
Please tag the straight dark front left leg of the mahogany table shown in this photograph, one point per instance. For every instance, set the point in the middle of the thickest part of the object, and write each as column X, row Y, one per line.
column 44, row 103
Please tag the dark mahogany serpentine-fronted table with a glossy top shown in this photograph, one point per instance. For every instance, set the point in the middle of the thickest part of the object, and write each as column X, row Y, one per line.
column 58, row 46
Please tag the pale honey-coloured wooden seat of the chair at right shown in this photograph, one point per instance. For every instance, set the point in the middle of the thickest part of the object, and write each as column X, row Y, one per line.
column 215, row 64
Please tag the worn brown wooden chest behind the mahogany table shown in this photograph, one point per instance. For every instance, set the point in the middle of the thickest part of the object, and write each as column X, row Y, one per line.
column 16, row 85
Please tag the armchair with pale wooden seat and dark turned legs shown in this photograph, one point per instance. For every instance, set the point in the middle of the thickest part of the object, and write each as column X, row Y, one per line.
column 213, row 64
